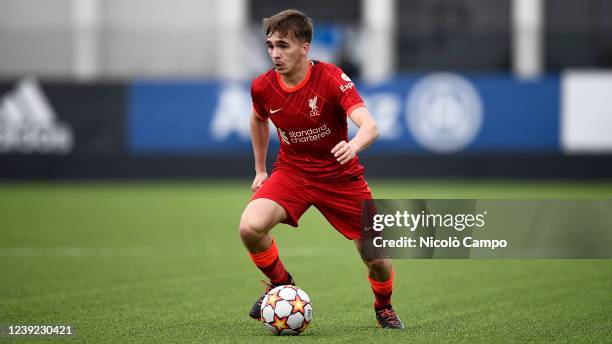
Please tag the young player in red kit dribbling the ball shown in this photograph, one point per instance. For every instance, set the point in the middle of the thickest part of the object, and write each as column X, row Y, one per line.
column 308, row 102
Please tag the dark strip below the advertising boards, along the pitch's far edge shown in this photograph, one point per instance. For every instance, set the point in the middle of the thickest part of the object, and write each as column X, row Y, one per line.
column 109, row 167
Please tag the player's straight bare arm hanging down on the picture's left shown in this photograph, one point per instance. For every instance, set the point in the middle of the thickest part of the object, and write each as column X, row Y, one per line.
column 260, row 137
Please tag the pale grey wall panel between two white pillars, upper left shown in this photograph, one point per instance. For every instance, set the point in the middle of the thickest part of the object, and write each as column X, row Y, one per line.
column 157, row 38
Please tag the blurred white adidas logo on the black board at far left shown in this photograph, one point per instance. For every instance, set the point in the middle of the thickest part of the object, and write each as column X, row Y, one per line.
column 28, row 123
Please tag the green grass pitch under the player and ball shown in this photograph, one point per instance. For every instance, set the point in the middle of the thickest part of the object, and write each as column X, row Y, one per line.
column 163, row 263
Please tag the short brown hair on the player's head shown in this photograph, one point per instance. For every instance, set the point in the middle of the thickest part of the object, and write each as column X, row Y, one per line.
column 289, row 23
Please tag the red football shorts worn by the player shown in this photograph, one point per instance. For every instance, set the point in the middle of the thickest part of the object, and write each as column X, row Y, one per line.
column 339, row 201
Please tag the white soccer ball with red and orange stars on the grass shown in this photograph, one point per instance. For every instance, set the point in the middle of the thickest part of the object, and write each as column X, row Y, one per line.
column 286, row 310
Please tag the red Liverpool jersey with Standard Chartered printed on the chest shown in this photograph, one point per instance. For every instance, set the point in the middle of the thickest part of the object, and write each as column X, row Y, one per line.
column 311, row 119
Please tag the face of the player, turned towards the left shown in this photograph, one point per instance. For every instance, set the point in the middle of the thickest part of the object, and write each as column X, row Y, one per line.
column 286, row 53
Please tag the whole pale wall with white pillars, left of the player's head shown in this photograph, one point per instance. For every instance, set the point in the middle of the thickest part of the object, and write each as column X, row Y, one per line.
column 127, row 38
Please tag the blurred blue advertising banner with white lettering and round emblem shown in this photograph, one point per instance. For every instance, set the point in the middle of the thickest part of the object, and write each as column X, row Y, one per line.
column 440, row 113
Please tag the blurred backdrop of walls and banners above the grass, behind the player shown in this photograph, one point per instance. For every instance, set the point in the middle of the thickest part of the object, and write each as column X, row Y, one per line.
column 160, row 89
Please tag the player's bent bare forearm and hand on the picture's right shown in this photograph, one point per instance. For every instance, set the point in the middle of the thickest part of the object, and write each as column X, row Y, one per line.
column 367, row 133
